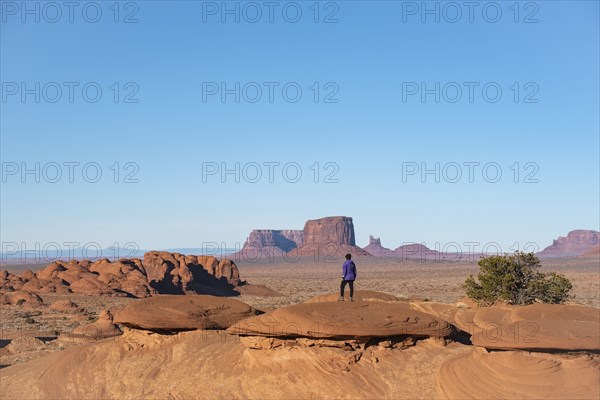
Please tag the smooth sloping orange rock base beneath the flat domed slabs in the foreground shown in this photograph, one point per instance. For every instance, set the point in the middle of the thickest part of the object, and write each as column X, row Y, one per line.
column 203, row 364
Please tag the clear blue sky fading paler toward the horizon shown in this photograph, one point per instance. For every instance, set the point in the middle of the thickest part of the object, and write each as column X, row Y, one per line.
column 162, row 118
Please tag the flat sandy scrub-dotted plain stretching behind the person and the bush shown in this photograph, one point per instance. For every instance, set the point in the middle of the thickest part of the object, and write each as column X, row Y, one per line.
column 435, row 281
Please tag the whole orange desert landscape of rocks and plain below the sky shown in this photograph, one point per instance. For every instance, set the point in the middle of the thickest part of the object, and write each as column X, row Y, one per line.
column 184, row 326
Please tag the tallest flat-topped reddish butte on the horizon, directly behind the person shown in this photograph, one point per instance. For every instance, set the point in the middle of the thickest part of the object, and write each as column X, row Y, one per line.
column 329, row 237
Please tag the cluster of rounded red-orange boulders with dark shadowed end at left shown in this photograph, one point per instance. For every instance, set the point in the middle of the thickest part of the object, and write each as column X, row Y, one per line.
column 159, row 272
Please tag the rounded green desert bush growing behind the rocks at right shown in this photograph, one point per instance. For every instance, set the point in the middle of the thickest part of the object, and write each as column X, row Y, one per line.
column 515, row 279
